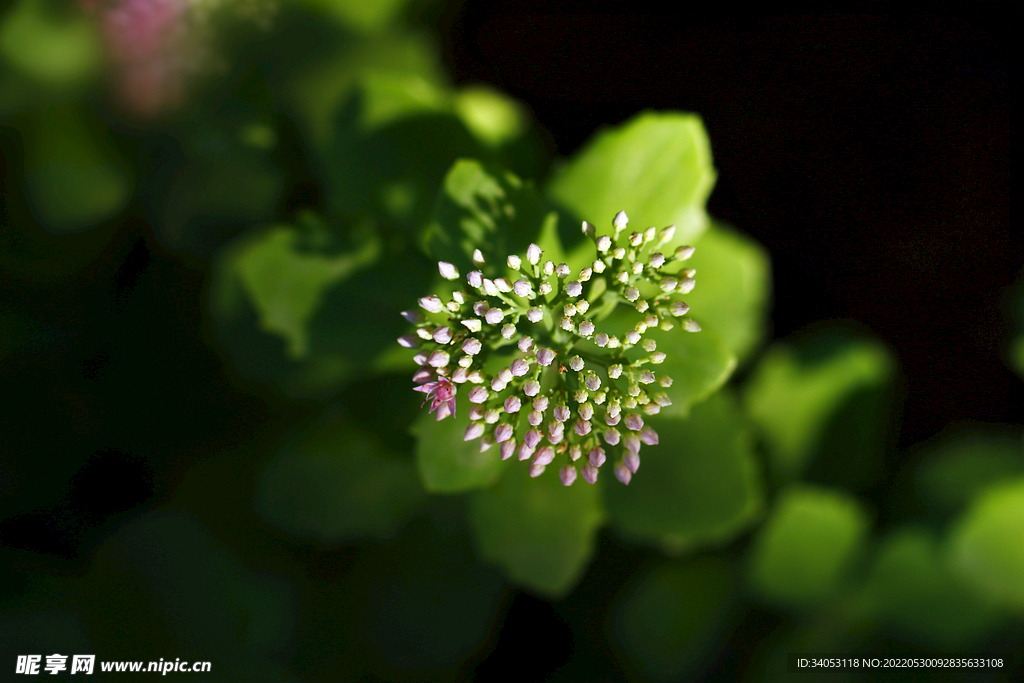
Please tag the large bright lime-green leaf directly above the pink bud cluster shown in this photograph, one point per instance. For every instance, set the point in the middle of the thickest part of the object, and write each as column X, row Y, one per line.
column 657, row 167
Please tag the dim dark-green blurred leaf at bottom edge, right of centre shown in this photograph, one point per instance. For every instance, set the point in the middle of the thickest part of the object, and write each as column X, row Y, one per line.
column 671, row 620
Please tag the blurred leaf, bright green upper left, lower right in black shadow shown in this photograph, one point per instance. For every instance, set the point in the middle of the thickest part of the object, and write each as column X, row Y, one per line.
column 802, row 394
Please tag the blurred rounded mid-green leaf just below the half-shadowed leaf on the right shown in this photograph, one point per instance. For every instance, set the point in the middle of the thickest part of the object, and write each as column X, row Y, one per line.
column 805, row 551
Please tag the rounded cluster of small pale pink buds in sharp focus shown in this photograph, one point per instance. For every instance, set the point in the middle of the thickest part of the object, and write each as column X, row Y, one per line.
column 542, row 382
